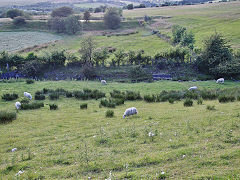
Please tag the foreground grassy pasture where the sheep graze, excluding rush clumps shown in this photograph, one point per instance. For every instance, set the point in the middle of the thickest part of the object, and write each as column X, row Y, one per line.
column 71, row 143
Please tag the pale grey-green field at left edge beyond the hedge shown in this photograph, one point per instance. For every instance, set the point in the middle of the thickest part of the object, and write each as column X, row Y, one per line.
column 13, row 41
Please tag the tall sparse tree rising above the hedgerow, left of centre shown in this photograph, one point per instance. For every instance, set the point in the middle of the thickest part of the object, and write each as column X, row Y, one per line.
column 87, row 49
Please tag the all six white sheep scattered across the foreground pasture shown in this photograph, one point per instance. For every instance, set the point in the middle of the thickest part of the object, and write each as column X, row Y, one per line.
column 128, row 112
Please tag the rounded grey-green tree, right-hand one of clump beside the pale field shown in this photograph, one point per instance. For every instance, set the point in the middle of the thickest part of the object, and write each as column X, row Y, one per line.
column 72, row 25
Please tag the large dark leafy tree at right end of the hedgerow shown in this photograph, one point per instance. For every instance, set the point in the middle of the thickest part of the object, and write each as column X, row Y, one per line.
column 216, row 52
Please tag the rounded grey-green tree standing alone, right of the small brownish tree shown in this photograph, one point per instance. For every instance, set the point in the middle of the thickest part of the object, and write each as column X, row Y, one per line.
column 112, row 18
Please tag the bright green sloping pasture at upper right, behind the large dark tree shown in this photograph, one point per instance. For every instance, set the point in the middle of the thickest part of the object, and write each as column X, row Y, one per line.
column 202, row 20
